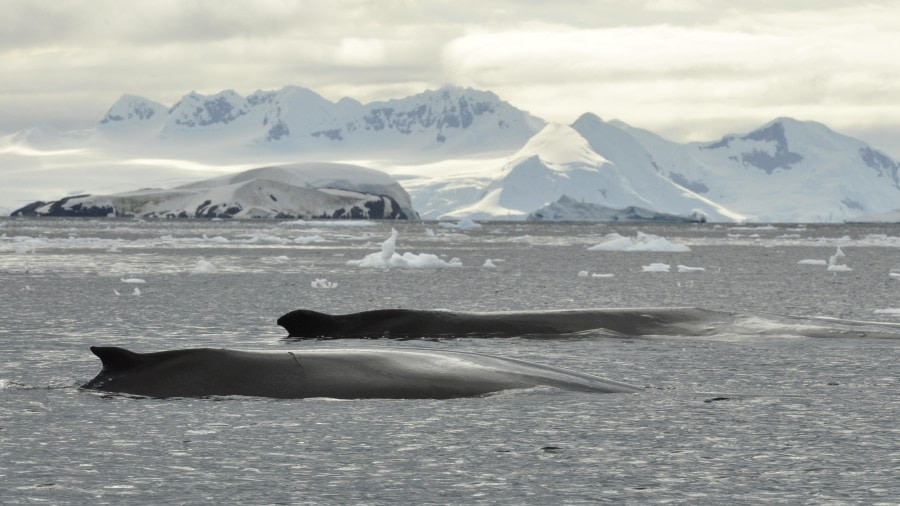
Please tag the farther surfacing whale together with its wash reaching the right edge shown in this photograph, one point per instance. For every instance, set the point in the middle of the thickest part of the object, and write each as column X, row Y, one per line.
column 574, row 323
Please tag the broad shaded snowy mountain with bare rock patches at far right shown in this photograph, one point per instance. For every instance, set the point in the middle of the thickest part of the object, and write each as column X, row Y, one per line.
column 786, row 170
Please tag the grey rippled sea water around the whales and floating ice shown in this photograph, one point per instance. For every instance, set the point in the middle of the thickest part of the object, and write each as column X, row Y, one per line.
column 736, row 419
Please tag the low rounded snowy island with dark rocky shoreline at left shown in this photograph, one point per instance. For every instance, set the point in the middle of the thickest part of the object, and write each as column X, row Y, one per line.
column 303, row 190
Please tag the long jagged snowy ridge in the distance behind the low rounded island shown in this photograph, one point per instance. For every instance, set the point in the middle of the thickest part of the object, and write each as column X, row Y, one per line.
column 297, row 120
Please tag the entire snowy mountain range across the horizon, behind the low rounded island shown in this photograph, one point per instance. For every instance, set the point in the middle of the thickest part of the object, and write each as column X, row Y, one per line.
column 461, row 153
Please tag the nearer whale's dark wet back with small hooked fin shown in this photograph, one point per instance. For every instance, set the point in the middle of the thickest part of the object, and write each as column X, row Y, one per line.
column 396, row 373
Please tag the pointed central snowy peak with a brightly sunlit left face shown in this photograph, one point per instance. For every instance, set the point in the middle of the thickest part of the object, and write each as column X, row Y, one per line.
column 591, row 161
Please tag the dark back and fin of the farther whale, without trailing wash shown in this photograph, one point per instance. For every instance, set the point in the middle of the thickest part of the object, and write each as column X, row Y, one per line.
column 414, row 323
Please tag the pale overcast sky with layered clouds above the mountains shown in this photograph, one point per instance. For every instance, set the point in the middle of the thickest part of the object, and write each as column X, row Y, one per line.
column 688, row 69
